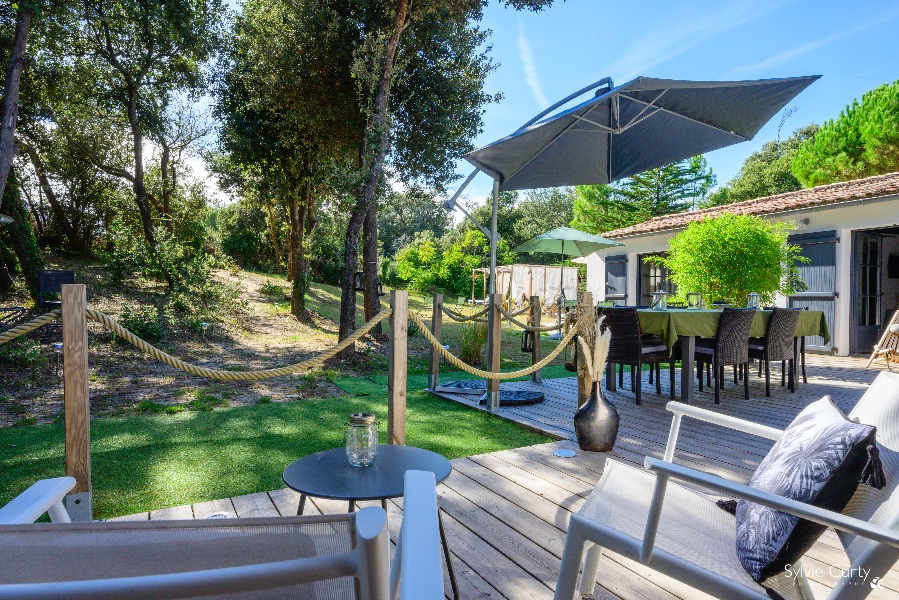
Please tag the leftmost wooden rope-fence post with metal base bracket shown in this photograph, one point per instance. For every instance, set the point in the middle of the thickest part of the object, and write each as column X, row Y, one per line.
column 76, row 401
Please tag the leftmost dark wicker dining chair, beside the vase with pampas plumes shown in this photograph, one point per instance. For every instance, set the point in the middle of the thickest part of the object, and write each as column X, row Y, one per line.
column 630, row 347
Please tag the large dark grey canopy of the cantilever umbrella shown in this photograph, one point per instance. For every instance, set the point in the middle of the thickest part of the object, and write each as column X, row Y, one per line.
column 641, row 125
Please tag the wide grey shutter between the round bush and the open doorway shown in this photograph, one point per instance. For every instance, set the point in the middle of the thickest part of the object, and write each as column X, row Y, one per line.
column 820, row 276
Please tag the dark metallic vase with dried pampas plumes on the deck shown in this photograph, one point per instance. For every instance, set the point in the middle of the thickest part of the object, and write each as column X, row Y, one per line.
column 596, row 422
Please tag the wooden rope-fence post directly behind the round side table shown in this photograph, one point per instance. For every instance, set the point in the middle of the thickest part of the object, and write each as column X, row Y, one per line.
column 397, row 367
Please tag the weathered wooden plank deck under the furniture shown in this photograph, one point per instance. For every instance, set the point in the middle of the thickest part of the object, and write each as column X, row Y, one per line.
column 506, row 513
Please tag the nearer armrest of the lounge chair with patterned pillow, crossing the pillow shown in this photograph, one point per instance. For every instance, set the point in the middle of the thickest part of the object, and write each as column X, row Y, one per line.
column 800, row 509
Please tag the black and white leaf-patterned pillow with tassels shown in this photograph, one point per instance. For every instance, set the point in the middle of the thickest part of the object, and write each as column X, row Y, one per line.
column 819, row 460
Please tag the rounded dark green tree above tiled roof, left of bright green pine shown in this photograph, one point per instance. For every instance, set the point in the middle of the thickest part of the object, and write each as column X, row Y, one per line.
column 766, row 172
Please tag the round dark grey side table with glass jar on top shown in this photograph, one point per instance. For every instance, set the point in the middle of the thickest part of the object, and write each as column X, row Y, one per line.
column 328, row 474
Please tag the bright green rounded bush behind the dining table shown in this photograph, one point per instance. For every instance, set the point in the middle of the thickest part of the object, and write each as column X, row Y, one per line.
column 728, row 257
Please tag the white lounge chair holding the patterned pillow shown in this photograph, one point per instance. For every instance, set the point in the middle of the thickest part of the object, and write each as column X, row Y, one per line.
column 682, row 533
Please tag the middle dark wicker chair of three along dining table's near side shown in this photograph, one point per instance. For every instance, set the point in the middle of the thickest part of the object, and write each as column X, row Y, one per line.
column 730, row 346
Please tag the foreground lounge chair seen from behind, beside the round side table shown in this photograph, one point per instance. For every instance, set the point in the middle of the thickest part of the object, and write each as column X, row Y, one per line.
column 298, row 557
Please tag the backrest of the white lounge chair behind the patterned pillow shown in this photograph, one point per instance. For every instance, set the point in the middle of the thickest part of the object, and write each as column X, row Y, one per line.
column 879, row 407
